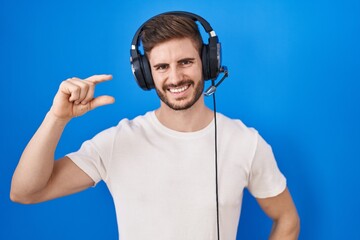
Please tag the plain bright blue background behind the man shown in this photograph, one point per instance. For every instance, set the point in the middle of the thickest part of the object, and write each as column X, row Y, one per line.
column 294, row 75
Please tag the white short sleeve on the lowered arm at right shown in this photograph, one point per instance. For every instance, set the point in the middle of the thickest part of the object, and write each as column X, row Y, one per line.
column 265, row 179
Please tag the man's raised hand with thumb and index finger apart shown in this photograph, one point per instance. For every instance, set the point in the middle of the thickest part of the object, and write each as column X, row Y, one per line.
column 75, row 97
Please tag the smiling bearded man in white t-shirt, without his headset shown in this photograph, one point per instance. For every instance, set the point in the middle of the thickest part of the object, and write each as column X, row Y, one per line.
column 159, row 167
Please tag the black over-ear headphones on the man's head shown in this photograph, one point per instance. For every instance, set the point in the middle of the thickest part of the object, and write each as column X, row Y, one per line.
column 210, row 54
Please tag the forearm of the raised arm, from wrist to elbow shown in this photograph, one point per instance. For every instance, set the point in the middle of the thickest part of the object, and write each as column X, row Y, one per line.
column 37, row 161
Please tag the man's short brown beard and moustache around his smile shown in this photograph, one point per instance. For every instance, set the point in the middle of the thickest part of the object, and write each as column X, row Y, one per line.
column 180, row 104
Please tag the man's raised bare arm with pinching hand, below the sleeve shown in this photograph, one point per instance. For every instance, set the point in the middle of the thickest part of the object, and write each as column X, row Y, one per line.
column 38, row 177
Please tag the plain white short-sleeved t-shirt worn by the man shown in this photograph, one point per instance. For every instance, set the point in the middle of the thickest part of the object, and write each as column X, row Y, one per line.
column 163, row 181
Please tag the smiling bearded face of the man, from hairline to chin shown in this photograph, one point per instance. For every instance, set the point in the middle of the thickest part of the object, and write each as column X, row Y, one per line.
column 177, row 72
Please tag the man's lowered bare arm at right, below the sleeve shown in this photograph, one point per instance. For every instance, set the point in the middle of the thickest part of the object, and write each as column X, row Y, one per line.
column 281, row 209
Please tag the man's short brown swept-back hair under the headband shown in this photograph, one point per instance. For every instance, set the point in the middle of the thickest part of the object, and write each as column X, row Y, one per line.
column 165, row 27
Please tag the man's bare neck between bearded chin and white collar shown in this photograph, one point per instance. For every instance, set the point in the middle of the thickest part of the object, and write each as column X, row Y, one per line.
column 193, row 119
